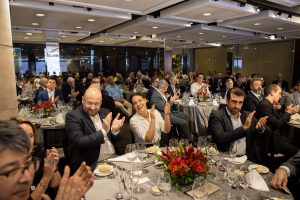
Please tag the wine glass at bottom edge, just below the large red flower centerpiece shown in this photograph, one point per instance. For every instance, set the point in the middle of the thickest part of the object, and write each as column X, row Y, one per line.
column 199, row 188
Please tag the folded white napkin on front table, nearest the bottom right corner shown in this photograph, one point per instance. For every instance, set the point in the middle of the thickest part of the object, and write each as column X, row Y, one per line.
column 256, row 182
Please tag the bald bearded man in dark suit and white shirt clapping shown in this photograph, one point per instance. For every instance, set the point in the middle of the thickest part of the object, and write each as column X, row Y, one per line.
column 89, row 129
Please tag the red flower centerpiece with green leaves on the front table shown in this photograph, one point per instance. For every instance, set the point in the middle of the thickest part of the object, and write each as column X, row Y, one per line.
column 184, row 165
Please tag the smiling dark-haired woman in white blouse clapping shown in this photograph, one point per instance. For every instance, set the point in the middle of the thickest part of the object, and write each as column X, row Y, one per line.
column 147, row 124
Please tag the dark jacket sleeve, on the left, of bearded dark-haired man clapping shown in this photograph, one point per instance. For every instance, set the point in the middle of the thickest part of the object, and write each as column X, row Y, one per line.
column 221, row 134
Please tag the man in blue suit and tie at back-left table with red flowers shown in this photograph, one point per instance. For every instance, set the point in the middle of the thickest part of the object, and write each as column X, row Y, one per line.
column 50, row 94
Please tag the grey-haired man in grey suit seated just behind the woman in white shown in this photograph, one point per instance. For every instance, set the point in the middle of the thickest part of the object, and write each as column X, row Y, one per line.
column 179, row 119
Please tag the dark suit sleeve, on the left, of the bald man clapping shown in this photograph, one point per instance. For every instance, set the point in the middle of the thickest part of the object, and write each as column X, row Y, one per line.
column 74, row 129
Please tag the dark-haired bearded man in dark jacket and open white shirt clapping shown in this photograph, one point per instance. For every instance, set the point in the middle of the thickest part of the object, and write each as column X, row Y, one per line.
column 232, row 126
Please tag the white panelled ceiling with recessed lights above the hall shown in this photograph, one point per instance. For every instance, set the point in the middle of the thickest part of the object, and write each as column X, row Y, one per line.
column 152, row 23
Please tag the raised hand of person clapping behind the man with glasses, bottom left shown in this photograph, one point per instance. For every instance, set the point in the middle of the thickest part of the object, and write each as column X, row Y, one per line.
column 50, row 162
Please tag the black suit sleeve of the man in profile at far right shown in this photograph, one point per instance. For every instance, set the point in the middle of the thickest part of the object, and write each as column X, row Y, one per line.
column 276, row 119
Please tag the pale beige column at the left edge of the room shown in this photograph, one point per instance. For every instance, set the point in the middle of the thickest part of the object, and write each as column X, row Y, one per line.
column 8, row 97
